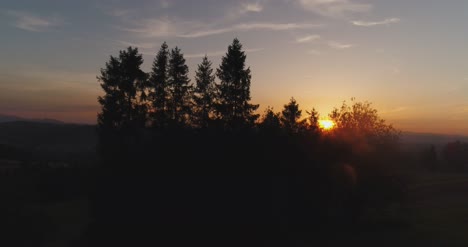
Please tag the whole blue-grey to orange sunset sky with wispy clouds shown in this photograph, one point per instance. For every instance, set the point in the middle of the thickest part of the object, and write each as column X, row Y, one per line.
column 408, row 57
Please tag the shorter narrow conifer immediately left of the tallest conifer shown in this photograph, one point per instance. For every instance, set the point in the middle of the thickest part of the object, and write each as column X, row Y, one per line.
column 204, row 94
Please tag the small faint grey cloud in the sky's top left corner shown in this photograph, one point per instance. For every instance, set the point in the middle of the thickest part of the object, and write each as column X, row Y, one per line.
column 30, row 22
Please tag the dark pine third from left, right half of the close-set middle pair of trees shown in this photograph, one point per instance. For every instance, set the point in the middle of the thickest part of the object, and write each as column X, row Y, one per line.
column 179, row 105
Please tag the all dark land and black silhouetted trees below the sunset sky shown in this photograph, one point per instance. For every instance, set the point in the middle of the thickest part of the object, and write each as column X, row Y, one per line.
column 177, row 164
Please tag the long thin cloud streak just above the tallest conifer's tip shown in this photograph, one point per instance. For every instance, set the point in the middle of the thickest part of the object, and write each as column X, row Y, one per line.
column 249, row 27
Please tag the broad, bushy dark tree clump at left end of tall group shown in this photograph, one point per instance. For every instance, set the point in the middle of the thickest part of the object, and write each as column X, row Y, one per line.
column 123, row 83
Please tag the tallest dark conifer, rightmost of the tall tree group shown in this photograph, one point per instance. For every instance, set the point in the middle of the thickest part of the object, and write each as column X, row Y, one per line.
column 233, row 105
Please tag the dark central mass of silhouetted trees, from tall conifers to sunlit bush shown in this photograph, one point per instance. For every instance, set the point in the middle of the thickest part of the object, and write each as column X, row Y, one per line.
column 193, row 161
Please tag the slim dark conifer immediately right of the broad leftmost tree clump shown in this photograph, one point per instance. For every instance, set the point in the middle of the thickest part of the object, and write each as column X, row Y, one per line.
column 158, row 82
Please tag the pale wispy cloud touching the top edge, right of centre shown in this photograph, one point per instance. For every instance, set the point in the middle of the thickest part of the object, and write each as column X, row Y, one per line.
column 334, row 8
